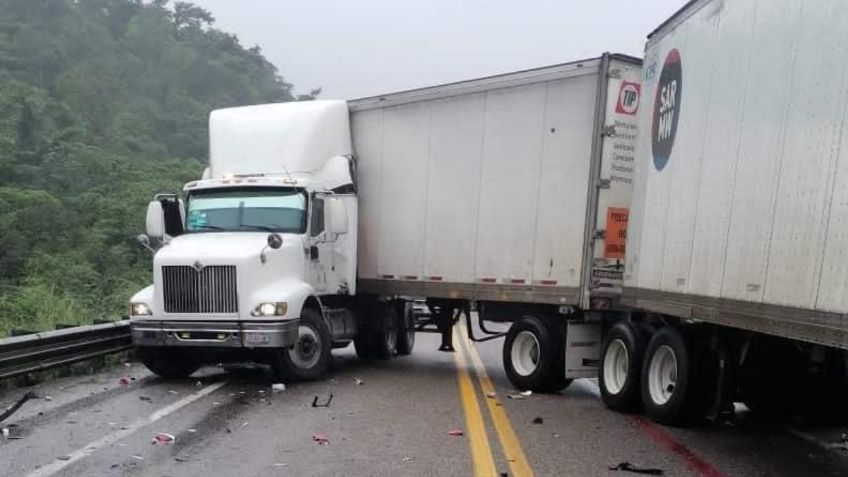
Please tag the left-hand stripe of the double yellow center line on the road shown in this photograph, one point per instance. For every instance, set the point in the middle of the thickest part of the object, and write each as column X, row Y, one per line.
column 481, row 452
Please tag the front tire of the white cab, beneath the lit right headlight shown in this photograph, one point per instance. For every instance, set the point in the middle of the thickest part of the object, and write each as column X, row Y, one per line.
column 310, row 357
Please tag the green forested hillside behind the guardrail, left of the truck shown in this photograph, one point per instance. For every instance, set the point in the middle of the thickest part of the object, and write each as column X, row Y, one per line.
column 103, row 103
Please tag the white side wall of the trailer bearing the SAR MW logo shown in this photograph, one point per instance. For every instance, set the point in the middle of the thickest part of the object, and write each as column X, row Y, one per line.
column 749, row 209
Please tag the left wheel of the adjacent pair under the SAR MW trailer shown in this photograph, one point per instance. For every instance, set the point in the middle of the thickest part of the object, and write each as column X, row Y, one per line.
column 620, row 374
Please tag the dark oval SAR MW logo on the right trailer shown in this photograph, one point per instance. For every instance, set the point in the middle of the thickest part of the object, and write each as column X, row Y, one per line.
column 666, row 109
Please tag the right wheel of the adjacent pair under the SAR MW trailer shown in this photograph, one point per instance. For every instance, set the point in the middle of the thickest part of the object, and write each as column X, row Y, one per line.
column 674, row 388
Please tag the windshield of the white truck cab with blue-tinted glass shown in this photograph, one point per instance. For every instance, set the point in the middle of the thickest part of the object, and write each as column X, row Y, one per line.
column 247, row 209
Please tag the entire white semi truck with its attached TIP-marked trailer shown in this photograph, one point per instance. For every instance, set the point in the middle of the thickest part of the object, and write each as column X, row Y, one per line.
column 317, row 222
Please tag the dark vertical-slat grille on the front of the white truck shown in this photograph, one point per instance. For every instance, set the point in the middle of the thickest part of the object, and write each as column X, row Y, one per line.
column 211, row 289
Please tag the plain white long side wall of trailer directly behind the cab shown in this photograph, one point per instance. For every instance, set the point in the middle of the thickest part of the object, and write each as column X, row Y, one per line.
column 486, row 186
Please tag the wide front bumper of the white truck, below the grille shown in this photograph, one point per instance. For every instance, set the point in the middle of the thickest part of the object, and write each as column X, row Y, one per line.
column 215, row 334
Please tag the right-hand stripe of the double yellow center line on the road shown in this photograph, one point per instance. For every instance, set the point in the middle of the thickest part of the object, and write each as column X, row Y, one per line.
column 517, row 460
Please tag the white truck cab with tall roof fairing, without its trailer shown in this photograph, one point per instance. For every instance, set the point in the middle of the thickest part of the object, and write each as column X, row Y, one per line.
column 244, row 257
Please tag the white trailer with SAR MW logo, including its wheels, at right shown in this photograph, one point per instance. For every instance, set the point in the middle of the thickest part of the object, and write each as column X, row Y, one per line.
column 737, row 235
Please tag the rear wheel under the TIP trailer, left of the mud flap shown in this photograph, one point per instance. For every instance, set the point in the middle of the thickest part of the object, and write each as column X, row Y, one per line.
column 534, row 356
